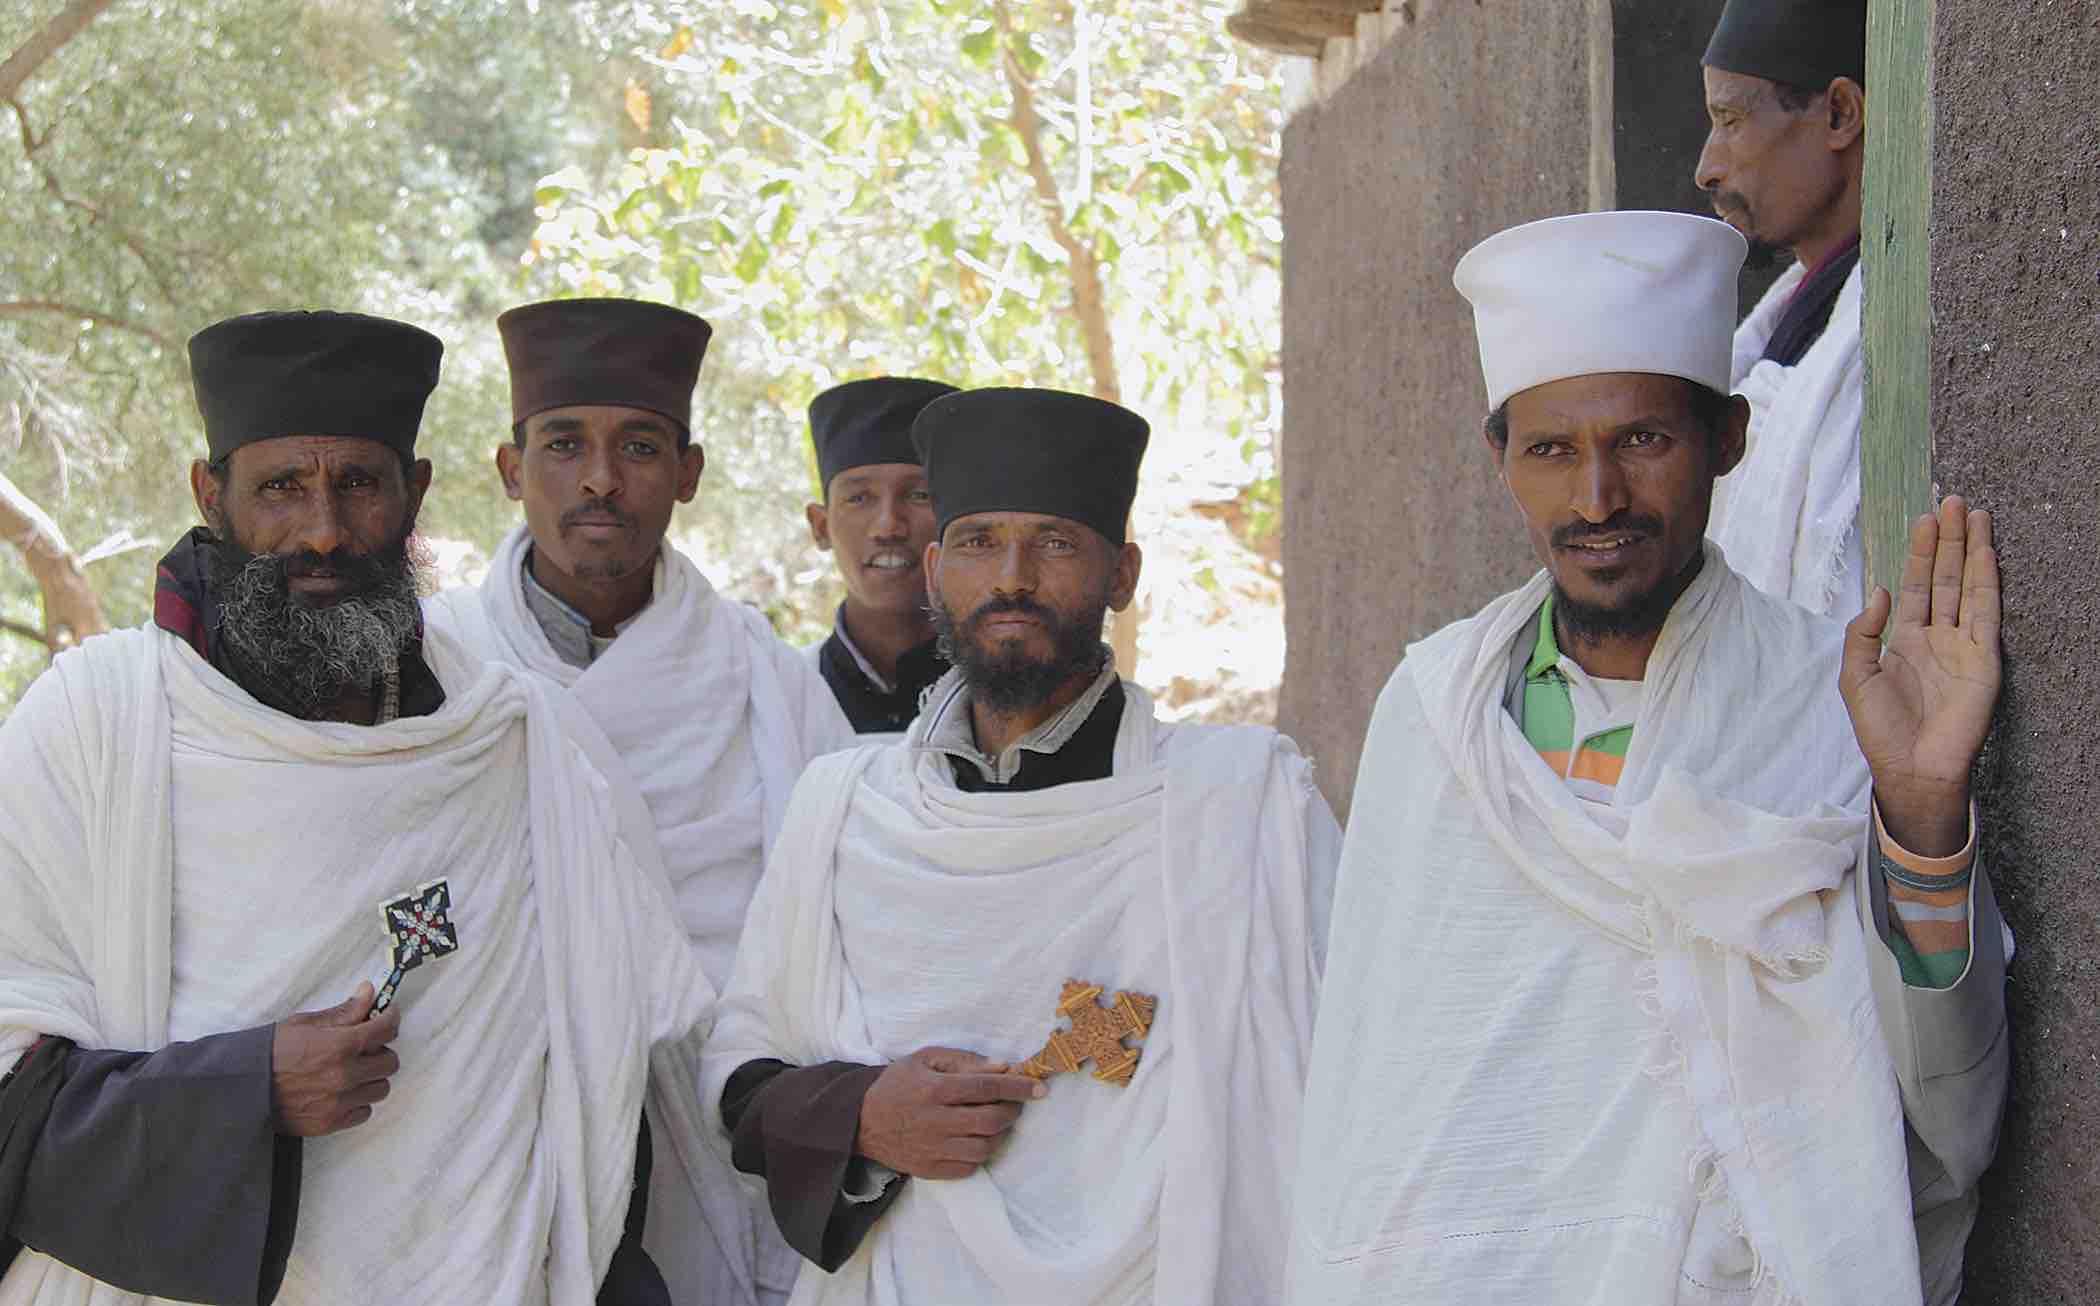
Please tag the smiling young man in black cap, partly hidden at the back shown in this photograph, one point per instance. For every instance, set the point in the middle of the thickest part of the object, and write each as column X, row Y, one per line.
column 877, row 520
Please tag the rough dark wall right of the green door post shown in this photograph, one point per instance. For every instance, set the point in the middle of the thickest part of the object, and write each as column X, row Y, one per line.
column 2015, row 425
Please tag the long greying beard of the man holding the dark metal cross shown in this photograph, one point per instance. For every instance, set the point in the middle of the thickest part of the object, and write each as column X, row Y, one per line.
column 303, row 658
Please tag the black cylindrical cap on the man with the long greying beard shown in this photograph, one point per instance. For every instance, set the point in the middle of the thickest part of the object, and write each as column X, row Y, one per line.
column 274, row 375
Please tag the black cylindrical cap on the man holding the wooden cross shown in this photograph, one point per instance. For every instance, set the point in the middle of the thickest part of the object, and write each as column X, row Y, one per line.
column 1013, row 450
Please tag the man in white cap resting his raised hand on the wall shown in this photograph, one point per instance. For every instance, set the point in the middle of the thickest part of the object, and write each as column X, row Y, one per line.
column 1666, row 971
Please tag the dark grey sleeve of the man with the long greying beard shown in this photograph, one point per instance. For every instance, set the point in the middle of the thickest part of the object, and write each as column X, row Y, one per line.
column 177, row 1152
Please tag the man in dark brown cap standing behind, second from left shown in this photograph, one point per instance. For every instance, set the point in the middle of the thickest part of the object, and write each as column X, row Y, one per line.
column 711, row 713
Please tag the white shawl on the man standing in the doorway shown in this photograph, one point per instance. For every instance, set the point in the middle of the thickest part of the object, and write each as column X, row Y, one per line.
column 1788, row 511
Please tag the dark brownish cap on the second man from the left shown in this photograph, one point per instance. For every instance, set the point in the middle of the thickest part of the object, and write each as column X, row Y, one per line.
column 621, row 354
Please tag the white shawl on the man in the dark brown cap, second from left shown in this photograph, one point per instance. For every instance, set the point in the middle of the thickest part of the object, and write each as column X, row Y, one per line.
column 715, row 721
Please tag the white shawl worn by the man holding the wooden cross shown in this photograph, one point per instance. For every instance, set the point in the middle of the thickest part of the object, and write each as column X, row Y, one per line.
column 902, row 912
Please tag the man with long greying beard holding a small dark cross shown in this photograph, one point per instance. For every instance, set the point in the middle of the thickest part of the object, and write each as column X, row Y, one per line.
column 285, row 788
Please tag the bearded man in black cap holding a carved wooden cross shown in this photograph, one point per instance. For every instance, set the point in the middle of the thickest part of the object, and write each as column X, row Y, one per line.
column 1024, row 1003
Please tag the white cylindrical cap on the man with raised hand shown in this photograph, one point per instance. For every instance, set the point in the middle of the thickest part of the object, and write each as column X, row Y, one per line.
column 1603, row 293
